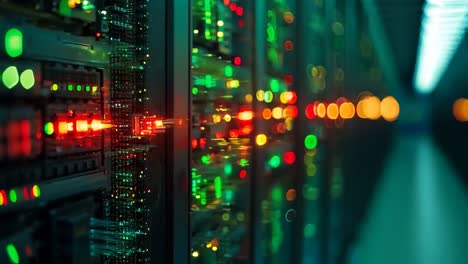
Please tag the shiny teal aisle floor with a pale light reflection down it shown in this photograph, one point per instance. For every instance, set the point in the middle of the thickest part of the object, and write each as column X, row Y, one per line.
column 419, row 211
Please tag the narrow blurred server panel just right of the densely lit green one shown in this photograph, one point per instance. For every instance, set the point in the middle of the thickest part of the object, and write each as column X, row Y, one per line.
column 275, row 135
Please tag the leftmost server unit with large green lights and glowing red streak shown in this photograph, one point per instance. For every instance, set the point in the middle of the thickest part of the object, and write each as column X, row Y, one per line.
column 53, row 128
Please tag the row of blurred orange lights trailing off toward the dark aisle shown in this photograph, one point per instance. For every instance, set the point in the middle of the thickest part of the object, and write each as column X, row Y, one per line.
column 370, row 107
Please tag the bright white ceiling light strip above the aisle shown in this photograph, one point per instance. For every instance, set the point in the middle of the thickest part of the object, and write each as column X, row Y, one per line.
column 443, row 26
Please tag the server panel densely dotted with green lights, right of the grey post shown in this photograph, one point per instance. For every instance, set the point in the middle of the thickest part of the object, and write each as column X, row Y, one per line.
column 222, row 123
